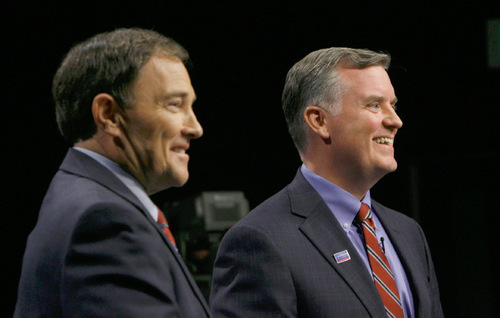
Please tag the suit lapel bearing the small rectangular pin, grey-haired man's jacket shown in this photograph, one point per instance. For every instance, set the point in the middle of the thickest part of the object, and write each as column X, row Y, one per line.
column 326, row 234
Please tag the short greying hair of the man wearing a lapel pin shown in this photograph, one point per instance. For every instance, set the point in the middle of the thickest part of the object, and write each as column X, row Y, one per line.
column 315, row 80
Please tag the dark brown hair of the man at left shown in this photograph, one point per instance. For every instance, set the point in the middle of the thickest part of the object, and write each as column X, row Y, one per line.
column 106, row 63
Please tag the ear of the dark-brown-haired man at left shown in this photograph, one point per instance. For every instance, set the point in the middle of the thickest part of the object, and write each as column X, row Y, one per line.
column 106, row 113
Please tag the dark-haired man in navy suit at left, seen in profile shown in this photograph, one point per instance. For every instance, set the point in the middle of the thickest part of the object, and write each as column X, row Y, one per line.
column 124, row 100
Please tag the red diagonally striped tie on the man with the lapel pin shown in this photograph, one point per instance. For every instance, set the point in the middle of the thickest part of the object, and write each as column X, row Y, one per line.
column 382, row 274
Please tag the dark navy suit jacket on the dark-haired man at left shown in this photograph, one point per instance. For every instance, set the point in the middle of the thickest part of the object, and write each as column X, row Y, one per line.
column 96, row 252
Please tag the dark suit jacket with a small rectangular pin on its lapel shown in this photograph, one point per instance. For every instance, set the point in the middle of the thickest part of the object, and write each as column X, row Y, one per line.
column 278, row 262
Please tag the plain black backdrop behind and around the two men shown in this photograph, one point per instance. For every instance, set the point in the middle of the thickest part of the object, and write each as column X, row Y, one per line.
column 449, row 101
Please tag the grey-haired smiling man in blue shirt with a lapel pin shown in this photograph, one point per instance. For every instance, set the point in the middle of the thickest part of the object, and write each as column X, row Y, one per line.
column 302, row 252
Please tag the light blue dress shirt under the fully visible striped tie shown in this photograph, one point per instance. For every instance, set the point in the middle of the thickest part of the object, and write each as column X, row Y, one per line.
column 345, row 207
